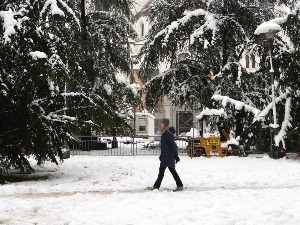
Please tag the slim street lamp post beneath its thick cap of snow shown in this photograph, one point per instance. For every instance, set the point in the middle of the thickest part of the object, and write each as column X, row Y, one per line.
column 270, row 37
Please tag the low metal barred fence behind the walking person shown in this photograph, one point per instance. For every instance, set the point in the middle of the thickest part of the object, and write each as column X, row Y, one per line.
column 122, row 146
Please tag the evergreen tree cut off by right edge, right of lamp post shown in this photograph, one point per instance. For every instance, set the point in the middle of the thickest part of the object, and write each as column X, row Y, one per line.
column 287, row 70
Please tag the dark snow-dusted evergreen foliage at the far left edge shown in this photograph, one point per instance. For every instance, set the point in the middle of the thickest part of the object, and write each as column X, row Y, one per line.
column 36, row 65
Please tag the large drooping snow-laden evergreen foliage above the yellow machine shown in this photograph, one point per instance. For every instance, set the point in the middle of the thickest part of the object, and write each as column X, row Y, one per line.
column 214, row 33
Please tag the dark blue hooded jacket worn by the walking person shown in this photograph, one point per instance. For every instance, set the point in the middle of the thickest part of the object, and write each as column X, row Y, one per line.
column 168, row 148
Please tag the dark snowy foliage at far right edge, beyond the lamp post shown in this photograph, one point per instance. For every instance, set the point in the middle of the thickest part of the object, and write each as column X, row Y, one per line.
column 287, row 60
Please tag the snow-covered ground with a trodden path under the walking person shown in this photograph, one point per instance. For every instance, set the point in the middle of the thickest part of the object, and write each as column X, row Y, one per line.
column 109, row 191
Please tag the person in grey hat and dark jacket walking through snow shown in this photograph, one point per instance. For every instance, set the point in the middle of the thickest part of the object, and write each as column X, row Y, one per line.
column 169, row 155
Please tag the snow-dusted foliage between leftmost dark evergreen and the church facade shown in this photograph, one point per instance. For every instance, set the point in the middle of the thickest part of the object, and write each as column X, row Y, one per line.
column 106, row 52
